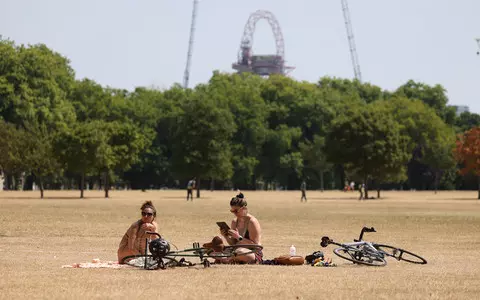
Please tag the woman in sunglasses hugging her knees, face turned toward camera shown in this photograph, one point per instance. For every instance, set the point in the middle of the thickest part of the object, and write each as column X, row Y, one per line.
column 133, row 242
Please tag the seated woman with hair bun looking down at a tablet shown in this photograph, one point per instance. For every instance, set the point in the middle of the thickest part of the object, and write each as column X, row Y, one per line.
column 245, row 229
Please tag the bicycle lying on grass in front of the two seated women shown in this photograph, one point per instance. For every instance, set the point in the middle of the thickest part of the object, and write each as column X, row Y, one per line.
column 161, row 256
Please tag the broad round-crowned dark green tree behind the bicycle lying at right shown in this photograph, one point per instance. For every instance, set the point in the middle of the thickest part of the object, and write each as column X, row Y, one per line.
column 369, row 143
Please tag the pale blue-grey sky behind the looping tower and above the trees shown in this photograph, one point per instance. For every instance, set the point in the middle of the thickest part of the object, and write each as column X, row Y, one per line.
column 129, row 43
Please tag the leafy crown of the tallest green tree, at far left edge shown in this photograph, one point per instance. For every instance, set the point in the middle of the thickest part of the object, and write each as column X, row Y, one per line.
column 34, row 85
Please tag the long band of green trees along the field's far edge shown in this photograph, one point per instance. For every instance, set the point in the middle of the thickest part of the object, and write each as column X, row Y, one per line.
column 236, row 131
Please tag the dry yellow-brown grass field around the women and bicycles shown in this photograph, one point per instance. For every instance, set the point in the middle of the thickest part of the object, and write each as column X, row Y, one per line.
column 38, row 236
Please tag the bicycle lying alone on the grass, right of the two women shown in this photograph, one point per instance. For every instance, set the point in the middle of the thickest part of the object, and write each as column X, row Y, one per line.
column 369, row 253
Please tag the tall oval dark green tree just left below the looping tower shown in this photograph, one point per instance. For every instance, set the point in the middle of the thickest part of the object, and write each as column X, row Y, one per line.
column 202, row 138
